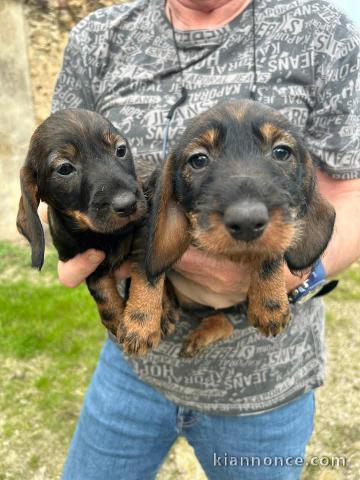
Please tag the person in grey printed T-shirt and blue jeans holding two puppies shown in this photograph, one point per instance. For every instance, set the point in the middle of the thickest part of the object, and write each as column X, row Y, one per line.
column 150, row 68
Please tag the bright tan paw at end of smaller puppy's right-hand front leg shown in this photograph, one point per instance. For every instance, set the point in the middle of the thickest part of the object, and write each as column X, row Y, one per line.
column 138, row 332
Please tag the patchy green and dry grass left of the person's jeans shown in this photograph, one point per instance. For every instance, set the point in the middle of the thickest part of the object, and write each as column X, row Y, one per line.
column 50, row 337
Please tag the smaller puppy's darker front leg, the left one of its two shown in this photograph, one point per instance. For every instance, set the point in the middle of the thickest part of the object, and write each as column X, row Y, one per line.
column 110, row 304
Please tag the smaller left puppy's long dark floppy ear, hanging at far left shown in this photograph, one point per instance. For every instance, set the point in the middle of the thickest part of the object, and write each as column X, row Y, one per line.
column 28, row 221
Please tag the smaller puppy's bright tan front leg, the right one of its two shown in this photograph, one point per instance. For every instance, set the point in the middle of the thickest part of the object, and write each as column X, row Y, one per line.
column 140, row 328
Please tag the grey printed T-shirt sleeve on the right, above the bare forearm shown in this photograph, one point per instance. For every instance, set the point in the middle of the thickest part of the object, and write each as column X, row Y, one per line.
column 333, row 128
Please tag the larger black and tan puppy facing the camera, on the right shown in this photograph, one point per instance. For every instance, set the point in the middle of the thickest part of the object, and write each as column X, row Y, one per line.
column 240, row 184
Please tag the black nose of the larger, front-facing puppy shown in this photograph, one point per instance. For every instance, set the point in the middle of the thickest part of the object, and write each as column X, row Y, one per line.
column 246, row 220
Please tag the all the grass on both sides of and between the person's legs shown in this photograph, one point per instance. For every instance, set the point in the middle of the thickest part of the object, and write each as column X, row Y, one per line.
column 50, row 338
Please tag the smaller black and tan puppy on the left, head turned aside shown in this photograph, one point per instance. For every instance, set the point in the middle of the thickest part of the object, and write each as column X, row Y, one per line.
column 82, row 167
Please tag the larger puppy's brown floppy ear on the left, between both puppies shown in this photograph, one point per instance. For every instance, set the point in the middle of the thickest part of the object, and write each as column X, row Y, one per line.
column 169, row 234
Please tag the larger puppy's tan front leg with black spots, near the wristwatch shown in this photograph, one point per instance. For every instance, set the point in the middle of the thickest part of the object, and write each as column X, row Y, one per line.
column 268, row 304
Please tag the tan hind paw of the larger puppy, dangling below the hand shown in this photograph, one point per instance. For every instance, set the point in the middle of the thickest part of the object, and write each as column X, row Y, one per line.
column 211, row 329
